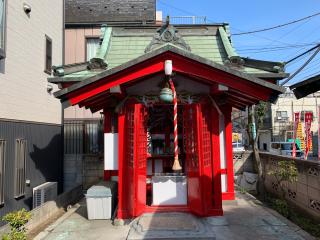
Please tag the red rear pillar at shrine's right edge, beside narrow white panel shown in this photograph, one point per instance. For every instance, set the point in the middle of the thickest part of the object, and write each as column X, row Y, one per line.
column 229, row 194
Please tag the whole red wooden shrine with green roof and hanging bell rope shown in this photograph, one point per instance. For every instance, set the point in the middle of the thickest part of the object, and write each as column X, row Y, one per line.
column 168, row 158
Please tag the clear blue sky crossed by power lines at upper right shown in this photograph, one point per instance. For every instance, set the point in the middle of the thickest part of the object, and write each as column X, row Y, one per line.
column 276, row 45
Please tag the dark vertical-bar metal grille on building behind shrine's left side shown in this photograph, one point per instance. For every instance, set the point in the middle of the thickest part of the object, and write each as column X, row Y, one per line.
column 83, row 136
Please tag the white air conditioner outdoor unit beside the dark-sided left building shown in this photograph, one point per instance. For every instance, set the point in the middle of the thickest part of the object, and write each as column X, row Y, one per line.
column 44, row 193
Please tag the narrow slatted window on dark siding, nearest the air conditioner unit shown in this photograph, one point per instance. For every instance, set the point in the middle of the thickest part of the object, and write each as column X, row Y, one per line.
column 20, row 167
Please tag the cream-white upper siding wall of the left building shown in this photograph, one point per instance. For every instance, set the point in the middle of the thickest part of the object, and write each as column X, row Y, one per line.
column 23, row 82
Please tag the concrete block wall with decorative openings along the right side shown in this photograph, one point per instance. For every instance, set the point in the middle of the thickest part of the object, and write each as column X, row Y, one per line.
column 305, row 193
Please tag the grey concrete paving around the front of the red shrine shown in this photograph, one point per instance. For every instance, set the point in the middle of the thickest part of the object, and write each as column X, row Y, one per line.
column 244, row 218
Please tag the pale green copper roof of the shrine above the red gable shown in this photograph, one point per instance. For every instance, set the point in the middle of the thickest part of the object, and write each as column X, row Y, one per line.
column 122, row 44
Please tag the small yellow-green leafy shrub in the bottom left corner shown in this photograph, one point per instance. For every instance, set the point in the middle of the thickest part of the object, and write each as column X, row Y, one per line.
column 17, row 221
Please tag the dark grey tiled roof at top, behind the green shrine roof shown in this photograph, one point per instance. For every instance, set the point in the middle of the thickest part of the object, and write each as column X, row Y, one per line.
column 108, row 11
